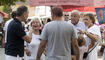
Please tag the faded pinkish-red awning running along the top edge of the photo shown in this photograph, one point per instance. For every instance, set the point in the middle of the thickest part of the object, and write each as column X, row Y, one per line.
column 66, row 2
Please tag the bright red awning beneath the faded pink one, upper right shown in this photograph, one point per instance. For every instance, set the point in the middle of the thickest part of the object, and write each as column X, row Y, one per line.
column 68, row 8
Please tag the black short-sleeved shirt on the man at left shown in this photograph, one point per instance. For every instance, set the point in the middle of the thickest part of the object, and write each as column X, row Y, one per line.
column 15, row 43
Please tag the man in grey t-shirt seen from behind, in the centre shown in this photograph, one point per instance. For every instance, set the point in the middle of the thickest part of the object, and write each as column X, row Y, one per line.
column 57, row 35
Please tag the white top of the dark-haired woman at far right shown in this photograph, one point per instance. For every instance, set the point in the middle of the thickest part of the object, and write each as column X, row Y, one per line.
column 93, row 54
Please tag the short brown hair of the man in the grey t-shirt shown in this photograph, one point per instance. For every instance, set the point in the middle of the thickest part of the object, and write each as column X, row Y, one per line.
column 57, row 11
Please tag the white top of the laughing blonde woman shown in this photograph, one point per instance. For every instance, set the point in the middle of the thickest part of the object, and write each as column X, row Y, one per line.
column 33, row 47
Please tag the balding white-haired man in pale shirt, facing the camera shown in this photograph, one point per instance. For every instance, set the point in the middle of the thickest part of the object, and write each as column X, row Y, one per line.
column 75, row 20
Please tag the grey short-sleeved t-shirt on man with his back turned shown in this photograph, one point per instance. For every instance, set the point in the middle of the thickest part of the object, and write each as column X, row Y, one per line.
column 58, row 35
